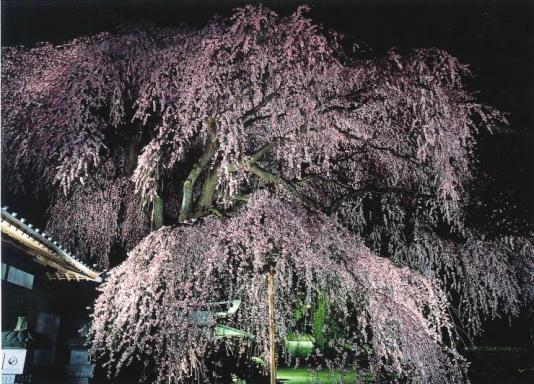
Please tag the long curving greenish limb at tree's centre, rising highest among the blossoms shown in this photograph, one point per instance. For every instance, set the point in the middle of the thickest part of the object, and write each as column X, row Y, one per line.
column 198, row 167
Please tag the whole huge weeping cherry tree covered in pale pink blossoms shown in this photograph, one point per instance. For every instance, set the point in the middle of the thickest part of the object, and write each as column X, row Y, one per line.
column 258, row 148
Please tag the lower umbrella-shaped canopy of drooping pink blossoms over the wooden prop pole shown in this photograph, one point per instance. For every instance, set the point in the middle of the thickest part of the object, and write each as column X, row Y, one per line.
column 146, row 307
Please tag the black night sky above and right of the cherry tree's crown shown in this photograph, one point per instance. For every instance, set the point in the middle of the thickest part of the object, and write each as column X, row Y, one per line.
column 495, row 37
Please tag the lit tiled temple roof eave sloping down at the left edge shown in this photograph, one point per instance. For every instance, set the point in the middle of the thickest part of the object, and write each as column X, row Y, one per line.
column 44, row 250
